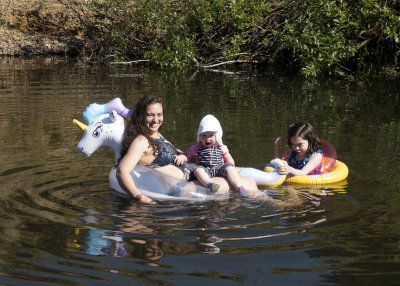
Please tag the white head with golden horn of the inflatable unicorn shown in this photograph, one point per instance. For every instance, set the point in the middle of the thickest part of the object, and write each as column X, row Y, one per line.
column 105, row 130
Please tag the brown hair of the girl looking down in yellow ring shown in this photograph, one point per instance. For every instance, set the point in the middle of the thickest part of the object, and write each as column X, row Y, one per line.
column 307, row 132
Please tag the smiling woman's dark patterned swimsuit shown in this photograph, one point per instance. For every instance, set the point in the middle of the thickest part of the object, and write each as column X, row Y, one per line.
column 166, row 156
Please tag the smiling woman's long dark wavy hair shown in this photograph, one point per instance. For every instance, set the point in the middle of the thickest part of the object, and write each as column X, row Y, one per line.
column 137, row 125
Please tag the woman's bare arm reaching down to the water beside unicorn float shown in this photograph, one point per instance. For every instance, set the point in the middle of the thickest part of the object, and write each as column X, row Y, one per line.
column 138, row 146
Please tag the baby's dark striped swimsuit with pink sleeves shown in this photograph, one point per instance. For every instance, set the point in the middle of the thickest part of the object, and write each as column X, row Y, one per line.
column 214, row 160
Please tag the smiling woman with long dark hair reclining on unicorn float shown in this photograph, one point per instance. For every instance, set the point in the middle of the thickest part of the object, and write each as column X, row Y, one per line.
column 143, row 144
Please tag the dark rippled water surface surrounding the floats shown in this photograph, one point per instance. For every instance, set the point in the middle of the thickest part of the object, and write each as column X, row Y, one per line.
column 61, row 224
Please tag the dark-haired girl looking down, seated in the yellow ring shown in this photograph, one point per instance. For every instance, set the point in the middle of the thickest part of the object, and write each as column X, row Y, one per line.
column 305, row 156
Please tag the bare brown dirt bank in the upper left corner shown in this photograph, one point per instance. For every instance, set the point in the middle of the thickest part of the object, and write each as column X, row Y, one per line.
column 33, row 27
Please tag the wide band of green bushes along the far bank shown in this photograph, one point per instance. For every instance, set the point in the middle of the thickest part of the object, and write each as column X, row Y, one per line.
column 318, row 37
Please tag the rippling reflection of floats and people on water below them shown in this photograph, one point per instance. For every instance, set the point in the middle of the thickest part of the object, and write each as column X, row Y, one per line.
column 148, row 233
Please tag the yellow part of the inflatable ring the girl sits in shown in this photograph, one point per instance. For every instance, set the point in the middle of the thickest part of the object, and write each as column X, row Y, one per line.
column 338, row 173
